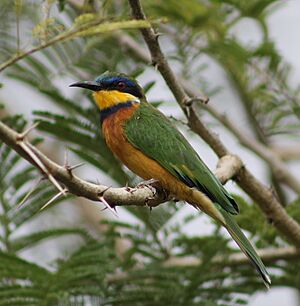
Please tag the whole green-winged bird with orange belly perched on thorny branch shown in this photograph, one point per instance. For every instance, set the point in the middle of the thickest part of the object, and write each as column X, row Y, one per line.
column 150, row 145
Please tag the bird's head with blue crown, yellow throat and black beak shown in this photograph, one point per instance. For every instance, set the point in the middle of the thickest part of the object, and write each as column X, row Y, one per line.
column 111, row 89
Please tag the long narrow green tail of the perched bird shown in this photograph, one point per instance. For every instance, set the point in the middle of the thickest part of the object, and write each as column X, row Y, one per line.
column 245, row 245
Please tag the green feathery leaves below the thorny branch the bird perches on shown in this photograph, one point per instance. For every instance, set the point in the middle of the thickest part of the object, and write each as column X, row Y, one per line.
column 93, row 273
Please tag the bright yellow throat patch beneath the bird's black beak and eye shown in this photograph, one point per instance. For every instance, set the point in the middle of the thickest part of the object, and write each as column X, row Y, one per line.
column 108, row 98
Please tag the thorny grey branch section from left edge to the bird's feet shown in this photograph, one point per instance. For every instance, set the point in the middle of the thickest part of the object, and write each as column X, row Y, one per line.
column 141, row 195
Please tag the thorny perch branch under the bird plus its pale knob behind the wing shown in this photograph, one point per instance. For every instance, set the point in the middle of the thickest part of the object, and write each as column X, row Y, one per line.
column 148, row 194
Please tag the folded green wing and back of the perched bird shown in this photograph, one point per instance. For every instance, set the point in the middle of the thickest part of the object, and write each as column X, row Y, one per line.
column 153, row 134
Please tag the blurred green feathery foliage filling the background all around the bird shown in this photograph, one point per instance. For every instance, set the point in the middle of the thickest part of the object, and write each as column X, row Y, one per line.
column 95, row 272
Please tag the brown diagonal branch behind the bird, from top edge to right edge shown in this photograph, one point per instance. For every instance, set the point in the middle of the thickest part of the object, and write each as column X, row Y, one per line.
column 260, row 193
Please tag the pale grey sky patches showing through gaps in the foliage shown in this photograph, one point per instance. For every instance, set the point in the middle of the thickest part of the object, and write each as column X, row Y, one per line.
column 284, row 28
